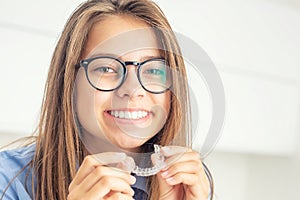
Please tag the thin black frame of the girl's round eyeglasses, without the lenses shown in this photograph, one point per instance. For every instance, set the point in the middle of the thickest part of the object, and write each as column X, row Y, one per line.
column 85, row 63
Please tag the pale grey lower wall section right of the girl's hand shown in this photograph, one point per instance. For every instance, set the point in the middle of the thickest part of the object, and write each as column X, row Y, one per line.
column 255, row 177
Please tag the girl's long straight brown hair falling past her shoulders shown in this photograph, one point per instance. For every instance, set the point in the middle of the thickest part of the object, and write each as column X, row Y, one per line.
column 58, row 143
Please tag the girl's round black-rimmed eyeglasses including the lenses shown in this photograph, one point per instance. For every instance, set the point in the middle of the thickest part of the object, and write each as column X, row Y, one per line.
column 107, row 73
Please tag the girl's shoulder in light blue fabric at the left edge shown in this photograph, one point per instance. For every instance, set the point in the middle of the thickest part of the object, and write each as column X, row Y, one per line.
column 14, row 170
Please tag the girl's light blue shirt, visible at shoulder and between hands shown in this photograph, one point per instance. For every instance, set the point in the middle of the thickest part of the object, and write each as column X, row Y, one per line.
column 12, row 162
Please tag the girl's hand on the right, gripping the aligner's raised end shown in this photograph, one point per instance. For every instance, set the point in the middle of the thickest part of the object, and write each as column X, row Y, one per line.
column 184, row 178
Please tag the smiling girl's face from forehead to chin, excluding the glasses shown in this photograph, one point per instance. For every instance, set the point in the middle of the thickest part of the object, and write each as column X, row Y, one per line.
column 128, row 116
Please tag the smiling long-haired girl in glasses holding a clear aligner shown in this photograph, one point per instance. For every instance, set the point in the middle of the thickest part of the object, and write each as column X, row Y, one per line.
column 107, row 98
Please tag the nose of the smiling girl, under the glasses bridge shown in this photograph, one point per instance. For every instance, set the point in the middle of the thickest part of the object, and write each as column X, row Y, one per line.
column 131, row 86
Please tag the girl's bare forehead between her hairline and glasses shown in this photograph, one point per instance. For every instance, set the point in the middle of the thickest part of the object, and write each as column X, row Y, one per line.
column 119, row 35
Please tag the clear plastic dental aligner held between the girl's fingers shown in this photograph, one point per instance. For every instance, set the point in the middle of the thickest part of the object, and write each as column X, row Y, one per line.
column 159, row 164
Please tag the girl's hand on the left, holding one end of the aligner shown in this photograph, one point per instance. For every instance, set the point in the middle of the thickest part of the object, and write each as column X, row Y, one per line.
column 95, row 180
